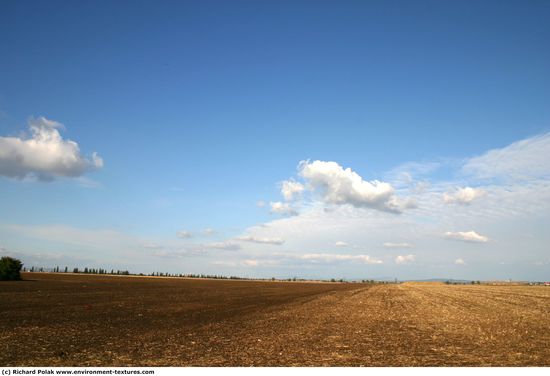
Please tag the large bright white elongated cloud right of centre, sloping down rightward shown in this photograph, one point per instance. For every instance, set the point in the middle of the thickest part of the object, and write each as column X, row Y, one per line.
column 343, row 186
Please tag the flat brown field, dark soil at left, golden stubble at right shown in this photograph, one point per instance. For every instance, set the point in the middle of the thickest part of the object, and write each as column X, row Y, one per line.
column 58, row 320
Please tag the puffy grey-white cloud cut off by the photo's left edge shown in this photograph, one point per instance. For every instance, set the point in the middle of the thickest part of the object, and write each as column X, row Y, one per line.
column 44, row 155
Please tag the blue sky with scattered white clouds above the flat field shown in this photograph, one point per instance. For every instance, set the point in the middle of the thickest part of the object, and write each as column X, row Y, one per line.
column 310, row 139
